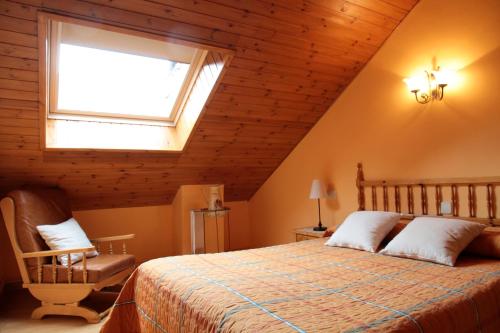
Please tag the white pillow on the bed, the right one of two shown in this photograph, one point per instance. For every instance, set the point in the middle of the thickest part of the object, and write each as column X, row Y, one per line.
column 435, row 239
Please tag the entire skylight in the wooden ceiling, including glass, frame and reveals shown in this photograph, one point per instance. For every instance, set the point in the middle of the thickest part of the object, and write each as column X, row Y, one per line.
column 104, row 87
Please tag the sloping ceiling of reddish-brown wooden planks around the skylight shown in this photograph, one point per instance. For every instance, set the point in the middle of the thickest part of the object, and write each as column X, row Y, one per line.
column 293, row 59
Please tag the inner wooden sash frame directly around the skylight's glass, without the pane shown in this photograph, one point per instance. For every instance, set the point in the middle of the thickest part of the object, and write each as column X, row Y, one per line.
column 53, row 47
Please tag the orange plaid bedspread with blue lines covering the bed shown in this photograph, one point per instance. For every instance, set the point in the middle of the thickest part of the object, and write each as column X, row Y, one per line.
column 308, row 287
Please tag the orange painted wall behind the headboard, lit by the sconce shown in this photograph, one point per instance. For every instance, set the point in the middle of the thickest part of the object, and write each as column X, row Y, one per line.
column 377, row 121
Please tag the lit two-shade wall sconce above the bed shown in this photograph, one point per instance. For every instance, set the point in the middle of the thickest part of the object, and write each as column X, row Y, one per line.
column 428, row 86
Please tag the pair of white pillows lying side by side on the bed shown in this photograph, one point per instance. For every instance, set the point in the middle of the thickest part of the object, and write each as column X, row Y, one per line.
column 438, row 240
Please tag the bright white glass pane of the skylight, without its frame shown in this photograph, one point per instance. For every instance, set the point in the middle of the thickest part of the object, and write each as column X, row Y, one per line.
column 114, row 83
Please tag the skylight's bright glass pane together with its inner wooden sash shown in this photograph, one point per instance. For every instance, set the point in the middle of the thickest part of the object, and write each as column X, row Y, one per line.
column 112, row 76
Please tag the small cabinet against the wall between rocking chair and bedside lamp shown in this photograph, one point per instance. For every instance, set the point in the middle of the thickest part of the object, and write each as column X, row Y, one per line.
column 201, row 220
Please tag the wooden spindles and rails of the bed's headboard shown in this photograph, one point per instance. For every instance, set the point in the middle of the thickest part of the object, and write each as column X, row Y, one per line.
column 424, row 186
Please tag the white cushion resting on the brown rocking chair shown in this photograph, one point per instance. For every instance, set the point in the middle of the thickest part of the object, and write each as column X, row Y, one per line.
column 66, row 235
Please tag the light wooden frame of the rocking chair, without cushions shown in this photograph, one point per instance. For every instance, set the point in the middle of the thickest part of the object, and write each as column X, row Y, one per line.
column 61, row 298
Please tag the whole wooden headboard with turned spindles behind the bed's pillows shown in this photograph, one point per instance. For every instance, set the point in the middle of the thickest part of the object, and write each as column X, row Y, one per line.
column 411, row 198
